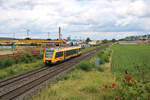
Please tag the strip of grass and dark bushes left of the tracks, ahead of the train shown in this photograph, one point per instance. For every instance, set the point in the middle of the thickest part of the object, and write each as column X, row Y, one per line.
column 10, row 67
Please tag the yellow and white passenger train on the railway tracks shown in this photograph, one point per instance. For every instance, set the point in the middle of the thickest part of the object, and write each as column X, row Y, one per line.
column 54, row 55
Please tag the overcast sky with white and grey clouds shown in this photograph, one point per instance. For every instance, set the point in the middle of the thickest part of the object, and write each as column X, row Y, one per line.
column 97, row 19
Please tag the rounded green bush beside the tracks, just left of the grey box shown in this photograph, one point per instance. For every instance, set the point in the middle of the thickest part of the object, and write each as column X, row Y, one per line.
column 85, row 65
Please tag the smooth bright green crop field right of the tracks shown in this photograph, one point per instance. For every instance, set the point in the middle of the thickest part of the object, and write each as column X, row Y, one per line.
column 131, row 57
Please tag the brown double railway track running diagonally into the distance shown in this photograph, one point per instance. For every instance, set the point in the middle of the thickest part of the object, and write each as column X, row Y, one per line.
column 19, row 86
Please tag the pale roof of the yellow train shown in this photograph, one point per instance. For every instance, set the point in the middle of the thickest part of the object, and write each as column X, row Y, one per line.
column 64, row 48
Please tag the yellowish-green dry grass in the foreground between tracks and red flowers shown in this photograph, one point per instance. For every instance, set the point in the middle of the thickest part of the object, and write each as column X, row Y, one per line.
column 80, row 85
